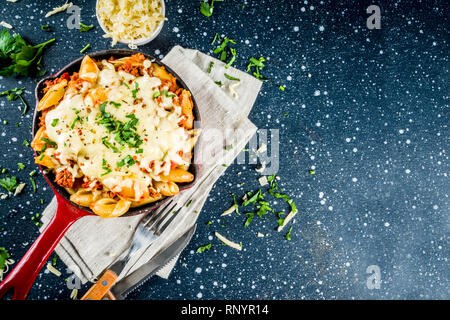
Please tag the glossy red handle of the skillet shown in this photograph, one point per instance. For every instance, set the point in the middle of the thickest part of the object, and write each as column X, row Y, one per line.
column 25, row 272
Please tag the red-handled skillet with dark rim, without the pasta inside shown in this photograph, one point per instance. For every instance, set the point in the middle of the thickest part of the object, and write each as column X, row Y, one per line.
column 23, row 275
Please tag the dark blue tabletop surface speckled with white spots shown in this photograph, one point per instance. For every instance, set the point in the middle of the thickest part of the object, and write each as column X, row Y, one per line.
column 372, row 119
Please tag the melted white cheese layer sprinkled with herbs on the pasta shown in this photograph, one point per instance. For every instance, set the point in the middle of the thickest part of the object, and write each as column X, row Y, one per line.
column 81, row 138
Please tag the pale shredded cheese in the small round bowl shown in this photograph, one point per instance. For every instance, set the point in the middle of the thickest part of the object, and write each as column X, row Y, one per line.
column 129, row 20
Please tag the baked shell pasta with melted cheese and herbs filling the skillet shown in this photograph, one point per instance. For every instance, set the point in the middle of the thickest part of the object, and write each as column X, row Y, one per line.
column 117, row 134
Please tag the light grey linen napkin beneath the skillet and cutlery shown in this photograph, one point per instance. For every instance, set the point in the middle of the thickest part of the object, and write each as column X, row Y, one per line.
column 92, row 243
